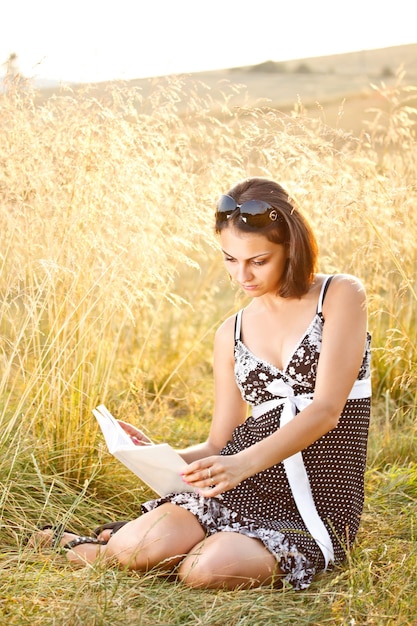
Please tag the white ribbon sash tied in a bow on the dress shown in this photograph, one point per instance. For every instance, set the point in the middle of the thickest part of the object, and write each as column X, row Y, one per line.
column 294, row 465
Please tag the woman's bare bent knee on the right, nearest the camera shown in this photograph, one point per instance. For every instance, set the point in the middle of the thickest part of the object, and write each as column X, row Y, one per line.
column 229, row 560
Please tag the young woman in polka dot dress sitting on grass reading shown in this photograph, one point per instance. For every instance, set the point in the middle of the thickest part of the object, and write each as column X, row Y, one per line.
column 279, row 494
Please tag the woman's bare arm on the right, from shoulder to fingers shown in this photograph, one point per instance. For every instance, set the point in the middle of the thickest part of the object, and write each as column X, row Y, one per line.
column 344, row 336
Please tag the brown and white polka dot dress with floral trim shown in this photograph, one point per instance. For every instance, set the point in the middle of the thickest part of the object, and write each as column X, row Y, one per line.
column 263, row 505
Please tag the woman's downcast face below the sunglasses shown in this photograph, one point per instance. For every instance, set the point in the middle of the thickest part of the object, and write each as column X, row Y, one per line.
column 253, row 261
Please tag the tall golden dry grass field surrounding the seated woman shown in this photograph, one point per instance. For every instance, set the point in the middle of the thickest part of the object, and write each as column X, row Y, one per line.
column 112, row 287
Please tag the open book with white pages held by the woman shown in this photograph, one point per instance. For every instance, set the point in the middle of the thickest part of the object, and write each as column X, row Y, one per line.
column 158, row 465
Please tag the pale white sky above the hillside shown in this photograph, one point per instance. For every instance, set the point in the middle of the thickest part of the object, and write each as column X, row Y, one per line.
column 91, row 40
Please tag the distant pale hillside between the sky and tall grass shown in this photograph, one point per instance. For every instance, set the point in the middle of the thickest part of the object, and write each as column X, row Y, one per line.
column 324, row 85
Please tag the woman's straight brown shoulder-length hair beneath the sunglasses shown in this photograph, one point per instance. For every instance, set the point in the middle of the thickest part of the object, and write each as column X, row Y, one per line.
column 292, row 228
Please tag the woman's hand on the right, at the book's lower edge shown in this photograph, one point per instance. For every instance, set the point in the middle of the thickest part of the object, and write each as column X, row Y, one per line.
column 214, row 474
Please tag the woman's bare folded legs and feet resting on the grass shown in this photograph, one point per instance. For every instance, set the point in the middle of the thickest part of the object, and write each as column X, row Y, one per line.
column 169, row 535
